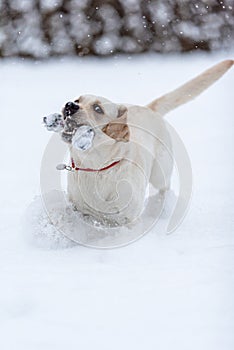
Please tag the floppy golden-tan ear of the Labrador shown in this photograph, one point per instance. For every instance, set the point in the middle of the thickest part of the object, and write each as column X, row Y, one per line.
column 118, row 129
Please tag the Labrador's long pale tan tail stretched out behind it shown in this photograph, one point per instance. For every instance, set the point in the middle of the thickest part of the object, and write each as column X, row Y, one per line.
column 189, row 90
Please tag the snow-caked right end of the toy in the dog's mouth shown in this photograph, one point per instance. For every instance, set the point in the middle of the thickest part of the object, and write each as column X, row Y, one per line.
column 83, row 138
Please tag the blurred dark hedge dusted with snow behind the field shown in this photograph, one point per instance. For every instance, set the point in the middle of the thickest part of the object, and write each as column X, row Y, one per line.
column 45, row 28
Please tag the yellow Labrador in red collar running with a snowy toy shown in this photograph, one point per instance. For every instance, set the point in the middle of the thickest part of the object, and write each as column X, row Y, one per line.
column 117, row 149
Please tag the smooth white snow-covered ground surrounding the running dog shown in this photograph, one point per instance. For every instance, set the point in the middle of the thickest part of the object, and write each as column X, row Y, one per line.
column 162, row 292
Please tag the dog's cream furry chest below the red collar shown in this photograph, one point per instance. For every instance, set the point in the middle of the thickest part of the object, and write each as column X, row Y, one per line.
column 117, row 192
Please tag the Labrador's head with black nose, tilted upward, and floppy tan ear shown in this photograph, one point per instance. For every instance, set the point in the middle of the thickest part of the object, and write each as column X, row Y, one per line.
column 102, row 115
